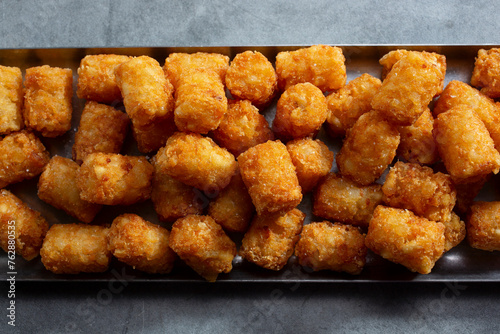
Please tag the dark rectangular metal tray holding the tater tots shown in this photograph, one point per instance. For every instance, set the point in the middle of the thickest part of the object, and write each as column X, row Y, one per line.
column 462, row 263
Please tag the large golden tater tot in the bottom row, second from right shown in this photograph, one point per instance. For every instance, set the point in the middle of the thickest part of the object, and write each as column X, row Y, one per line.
column 400, row 236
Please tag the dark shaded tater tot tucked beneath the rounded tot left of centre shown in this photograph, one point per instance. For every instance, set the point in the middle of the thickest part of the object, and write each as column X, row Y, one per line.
column 173, row 199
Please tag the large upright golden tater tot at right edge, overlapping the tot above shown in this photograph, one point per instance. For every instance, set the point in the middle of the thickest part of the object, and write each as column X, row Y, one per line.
column 464, row 144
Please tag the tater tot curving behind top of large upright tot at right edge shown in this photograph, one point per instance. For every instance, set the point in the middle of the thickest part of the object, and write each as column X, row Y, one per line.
column 458, row 93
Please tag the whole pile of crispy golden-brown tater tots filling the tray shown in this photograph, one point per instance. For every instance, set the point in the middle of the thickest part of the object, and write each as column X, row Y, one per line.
column 414, row 155
